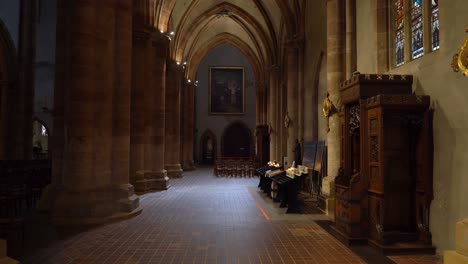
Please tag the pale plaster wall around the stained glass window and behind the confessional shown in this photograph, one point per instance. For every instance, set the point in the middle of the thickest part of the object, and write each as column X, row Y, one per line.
column 433, row 76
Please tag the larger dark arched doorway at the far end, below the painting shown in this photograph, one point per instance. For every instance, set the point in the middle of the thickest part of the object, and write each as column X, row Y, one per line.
column 237, row 141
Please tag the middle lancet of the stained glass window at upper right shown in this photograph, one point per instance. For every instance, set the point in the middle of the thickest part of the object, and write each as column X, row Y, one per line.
column 416, row 29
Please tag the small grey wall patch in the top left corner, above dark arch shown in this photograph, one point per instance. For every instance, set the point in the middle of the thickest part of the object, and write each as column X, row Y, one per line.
column 9, row 15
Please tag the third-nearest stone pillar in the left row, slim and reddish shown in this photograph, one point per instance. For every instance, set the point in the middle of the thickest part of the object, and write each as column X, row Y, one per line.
column 174, row 80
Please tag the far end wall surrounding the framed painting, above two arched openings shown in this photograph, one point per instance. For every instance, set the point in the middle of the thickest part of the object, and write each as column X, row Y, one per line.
column 224, row 55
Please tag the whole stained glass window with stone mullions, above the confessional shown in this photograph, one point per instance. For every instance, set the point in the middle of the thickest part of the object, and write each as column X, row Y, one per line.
column 415, row 28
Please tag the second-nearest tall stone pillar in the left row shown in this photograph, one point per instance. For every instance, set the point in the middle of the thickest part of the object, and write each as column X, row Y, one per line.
column 147, row 127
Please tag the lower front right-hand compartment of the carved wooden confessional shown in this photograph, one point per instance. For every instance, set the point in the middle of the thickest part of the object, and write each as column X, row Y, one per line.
column 396, row 131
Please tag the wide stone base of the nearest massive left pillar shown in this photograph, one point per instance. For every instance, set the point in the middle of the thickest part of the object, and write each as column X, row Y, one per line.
column 89, row 207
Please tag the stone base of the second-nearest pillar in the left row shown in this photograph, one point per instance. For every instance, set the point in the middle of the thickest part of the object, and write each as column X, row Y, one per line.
column 145, row 181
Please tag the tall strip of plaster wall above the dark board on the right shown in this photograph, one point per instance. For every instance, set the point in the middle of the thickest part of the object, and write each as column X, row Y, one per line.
column 314, row 69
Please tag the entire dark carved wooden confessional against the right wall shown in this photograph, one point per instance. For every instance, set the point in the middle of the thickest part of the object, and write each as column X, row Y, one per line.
column 384, row 187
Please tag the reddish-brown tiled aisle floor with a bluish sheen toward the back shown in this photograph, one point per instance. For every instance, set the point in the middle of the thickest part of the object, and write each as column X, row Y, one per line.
column 201, row 219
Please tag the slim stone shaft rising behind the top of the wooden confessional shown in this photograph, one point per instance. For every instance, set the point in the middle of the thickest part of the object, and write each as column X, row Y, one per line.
column 351, row 58
